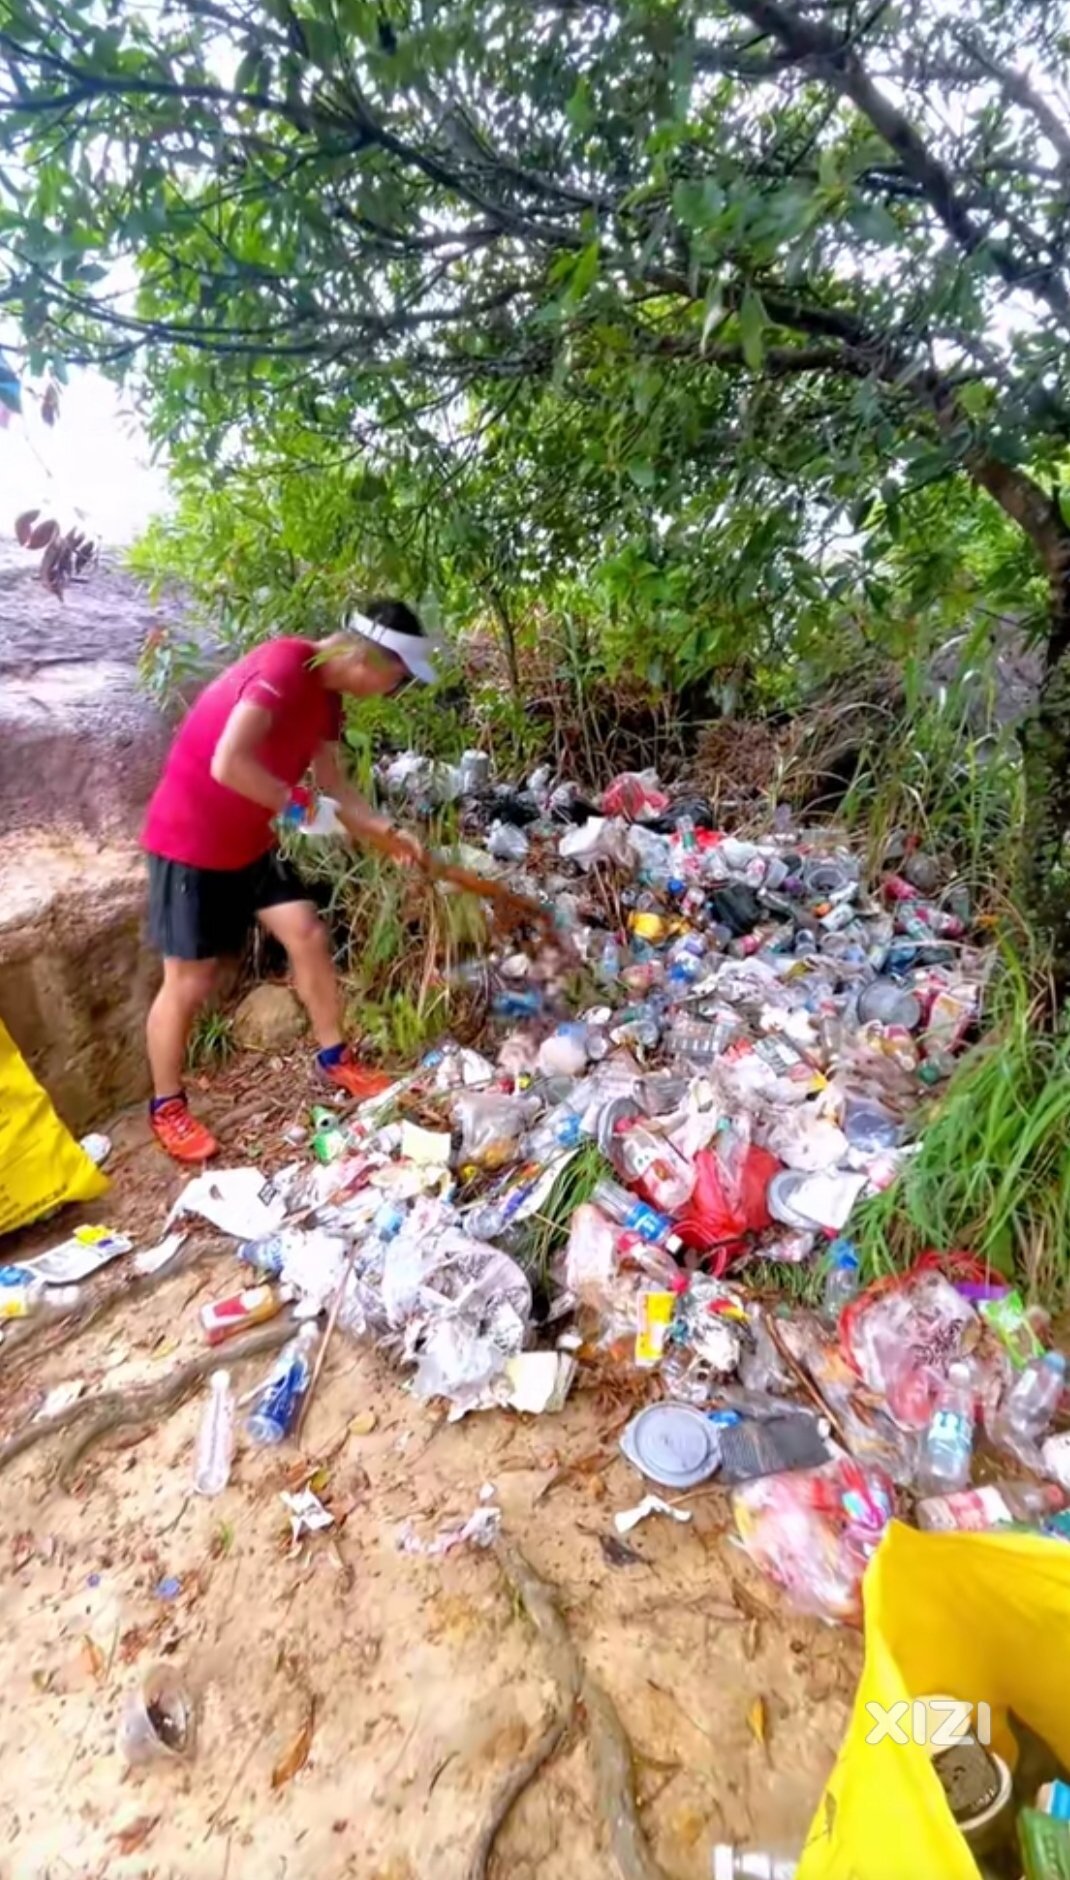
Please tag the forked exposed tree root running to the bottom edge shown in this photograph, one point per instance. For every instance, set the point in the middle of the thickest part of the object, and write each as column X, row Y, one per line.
column 610, row 1749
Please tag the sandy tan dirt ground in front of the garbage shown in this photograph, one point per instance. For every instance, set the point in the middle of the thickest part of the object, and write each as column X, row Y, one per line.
column 422, row 1678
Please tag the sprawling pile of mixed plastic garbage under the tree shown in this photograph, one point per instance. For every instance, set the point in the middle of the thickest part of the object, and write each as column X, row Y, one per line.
column 714, row 1061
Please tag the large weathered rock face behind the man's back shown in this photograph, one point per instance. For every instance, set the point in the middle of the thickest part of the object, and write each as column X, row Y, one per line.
column 80, row 751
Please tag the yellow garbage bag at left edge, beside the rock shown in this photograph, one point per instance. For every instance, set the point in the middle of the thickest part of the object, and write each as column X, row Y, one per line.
column 40, row 1163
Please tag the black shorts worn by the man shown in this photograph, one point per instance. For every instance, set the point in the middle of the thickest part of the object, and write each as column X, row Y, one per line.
column 208, row 913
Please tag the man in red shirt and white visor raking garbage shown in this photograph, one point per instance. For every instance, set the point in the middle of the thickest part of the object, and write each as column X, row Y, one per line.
column 213, row 858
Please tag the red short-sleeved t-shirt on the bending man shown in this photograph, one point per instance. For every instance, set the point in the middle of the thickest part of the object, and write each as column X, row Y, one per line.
column 208, row 826
